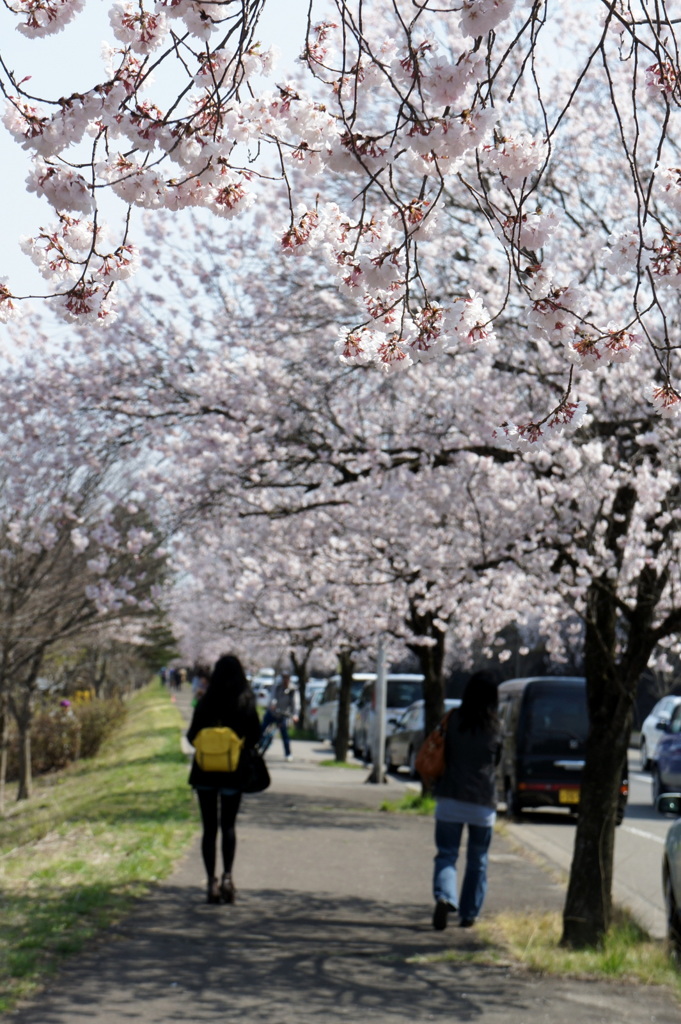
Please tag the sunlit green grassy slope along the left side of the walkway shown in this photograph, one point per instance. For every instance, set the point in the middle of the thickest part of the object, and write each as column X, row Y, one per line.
column 91, row 840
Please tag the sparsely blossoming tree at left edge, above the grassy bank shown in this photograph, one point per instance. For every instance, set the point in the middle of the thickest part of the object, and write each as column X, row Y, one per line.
column 77, row 548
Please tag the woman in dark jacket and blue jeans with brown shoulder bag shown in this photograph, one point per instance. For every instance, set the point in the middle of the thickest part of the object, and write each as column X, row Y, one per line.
column 466, row 796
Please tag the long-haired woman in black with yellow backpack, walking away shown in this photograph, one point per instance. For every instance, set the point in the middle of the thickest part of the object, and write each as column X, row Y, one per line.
column 225, row 723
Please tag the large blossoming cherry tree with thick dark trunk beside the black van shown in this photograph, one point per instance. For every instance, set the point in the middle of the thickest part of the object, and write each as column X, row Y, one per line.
column 582, row 534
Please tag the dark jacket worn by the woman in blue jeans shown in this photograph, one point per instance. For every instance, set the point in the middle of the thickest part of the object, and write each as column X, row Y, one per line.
column 472, row 760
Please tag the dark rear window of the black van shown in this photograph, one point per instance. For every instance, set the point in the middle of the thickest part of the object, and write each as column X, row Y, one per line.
column 557, row 721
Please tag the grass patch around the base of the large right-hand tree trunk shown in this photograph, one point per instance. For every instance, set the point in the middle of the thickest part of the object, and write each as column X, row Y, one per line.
column 627, row 955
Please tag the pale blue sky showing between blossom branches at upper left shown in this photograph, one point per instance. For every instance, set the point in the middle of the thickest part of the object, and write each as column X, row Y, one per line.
column 71, row 62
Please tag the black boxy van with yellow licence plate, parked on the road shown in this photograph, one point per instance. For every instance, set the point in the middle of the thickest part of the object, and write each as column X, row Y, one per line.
column 545, row 724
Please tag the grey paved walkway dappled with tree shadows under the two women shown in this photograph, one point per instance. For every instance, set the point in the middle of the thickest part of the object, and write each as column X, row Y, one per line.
column 332, row 923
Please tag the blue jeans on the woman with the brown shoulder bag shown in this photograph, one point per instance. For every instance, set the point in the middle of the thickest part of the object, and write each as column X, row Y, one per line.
column 448, row 841
